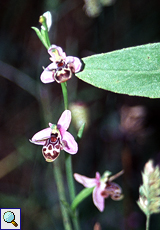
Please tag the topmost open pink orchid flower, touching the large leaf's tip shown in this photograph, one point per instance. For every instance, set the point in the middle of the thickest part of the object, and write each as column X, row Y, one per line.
column 62, row 67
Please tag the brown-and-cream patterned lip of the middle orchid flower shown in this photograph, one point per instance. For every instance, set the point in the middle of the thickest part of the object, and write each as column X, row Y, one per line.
column 52, row 148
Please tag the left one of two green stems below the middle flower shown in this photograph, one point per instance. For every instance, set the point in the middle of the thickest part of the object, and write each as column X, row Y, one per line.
column 61, row 192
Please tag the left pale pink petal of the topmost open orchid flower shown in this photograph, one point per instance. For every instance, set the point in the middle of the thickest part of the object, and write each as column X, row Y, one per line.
column 47, row 75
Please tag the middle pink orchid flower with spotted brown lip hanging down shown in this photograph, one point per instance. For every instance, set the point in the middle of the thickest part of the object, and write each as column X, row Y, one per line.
column 55, row 138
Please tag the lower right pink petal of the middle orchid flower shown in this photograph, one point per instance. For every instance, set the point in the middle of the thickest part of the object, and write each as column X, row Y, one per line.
column 69, row 143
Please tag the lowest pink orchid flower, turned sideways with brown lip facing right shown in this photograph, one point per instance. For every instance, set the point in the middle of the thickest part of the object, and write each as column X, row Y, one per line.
column 103, row 187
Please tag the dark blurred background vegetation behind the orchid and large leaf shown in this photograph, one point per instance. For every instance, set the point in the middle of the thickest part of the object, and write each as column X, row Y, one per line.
column 122, row 132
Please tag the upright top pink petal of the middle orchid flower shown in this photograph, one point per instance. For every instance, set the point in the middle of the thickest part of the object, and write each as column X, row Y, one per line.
column 64, row 120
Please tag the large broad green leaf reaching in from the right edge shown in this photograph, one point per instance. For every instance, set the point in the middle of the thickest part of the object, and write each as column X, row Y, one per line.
column 132, row 71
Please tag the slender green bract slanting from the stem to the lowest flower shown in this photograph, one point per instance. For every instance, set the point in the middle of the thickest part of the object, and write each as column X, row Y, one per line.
column 81, row 196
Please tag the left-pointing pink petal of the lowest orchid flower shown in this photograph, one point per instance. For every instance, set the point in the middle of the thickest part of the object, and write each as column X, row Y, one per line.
column 86, row 181
